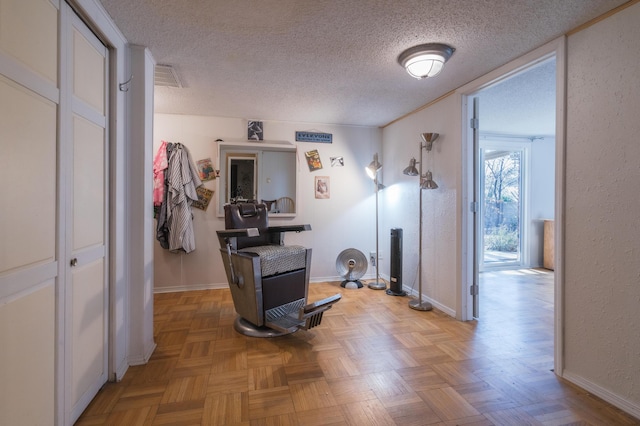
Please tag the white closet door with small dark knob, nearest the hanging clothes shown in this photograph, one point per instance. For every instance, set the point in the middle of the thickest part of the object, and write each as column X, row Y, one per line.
column 85, row 177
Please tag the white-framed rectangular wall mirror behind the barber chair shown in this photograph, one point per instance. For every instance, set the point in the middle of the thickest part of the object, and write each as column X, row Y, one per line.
column 266, row 172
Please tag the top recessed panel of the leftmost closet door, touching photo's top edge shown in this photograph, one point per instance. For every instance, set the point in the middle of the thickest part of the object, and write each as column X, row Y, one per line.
column 36, row 50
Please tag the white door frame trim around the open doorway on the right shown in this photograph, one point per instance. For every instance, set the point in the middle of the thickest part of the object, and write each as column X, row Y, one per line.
column 555, row 48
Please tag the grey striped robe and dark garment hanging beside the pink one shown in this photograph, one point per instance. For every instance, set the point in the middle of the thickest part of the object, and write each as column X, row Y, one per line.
column 174, row 229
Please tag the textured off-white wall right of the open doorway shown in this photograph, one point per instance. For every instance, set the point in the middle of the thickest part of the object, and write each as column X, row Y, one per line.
column 602, row 236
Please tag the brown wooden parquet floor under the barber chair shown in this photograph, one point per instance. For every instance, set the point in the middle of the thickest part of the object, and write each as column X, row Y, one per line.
column 372, row 361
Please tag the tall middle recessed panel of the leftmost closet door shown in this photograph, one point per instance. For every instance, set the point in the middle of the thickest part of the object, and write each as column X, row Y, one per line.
column 28, row 176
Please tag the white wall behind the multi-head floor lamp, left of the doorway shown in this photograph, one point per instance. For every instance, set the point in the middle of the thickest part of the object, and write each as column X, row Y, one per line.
column 441, row 214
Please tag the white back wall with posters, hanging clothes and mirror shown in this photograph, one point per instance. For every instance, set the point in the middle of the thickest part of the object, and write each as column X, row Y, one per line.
column 345, row 220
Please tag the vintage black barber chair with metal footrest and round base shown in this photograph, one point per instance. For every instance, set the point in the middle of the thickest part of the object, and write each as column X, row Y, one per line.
column 269, row 281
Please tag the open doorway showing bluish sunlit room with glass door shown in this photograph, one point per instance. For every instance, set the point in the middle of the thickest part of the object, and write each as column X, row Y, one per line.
column 511, row 187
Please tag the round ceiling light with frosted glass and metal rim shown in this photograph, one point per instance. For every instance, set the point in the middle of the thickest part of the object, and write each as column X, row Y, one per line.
column 425, row 60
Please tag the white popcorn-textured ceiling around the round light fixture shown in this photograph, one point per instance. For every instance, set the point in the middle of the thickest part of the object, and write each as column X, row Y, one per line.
column 332, row 61
